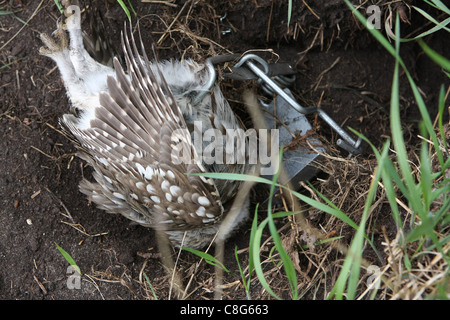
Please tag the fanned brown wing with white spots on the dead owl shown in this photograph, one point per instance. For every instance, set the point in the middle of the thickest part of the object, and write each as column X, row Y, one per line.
column 140, row 145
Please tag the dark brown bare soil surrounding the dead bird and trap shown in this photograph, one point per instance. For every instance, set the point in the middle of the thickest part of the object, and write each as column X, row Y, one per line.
column 39, row 174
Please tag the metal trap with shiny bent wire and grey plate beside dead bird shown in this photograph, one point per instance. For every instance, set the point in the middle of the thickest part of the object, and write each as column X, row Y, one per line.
column 302, row 151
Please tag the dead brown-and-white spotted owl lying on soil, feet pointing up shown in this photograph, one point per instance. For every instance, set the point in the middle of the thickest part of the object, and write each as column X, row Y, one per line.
column 129, row 126
